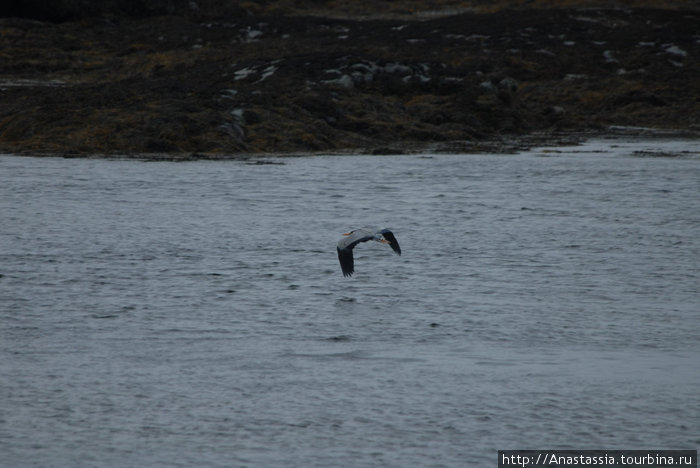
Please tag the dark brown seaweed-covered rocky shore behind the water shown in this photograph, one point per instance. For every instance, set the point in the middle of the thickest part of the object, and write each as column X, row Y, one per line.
column 299, row 81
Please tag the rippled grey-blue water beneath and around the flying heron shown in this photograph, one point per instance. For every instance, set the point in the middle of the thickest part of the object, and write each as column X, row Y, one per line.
column 194, row 314
